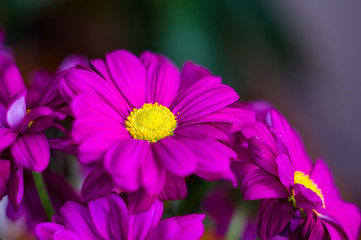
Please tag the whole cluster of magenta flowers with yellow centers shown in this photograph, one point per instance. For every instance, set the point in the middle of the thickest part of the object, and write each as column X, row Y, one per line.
column 140, row 127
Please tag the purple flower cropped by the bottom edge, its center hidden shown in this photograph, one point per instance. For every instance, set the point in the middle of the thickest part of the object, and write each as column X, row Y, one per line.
column 108, row 218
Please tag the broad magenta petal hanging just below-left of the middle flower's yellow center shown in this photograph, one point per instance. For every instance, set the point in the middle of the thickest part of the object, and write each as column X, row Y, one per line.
column 124, row 160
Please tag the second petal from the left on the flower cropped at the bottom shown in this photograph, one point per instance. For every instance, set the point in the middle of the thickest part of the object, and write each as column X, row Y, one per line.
column 77, row 219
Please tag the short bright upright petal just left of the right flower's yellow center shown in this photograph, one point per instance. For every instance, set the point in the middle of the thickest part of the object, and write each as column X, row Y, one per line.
column 285, row 171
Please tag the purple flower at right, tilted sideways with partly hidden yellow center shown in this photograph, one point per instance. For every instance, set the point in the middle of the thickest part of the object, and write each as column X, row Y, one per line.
column 301, row 199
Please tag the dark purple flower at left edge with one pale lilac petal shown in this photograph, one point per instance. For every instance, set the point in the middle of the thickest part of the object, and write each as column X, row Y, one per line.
column 23, row 118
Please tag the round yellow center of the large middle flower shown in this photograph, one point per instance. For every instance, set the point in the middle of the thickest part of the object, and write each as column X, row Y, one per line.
column 151, row 122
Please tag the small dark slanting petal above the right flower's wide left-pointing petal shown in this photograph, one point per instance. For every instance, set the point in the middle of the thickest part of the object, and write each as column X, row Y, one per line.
column 262, row 155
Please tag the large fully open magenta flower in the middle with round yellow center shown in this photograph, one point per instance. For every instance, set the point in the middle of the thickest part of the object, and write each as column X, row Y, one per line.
column 148, row 125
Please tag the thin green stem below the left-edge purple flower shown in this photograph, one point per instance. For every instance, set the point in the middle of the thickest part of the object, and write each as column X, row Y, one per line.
column 43, row 194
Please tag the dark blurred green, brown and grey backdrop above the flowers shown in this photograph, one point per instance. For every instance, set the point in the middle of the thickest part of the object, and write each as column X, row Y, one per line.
column 303, row 56
